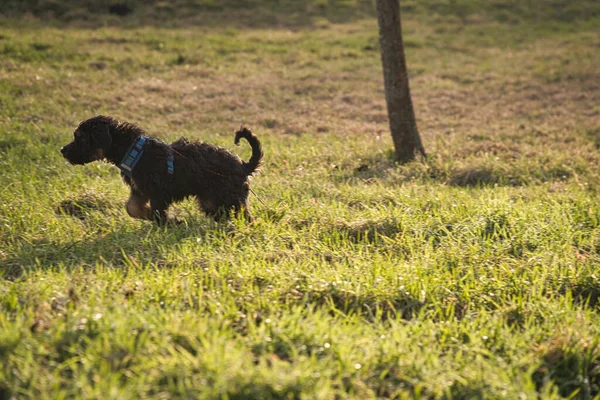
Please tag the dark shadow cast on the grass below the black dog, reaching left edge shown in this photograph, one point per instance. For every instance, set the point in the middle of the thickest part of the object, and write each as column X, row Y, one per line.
column 116, row 248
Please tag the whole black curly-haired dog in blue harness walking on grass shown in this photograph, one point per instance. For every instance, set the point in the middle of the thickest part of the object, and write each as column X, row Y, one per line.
column 160, row 174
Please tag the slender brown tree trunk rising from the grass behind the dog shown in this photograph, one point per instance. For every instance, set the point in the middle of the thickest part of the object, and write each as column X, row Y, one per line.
column 403, row 125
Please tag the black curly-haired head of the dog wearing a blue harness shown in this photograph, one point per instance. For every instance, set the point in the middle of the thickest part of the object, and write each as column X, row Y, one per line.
column 92, row 139
